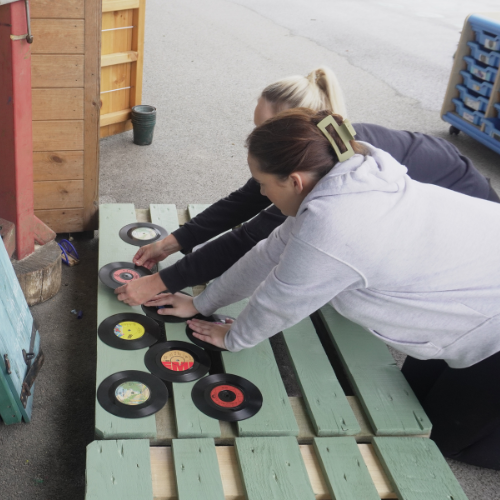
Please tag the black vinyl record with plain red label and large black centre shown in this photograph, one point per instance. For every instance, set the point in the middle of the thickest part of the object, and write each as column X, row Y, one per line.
column 226, row 397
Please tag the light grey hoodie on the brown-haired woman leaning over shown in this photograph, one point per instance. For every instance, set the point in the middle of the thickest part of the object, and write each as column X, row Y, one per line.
column 415, row 264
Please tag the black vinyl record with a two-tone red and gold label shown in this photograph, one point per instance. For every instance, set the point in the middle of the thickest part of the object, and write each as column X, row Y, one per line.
column 177, row 361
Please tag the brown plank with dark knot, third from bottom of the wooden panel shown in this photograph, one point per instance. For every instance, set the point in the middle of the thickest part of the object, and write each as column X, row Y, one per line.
column 57, row 165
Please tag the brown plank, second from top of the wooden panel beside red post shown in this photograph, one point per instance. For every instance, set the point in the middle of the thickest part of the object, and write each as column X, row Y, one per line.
column 58, row 36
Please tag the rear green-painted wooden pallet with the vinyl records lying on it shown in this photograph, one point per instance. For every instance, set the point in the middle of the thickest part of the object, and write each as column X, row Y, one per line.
column 388, row 404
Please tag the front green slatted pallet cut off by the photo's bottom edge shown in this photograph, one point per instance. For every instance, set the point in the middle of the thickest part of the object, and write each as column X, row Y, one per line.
column 275, row 468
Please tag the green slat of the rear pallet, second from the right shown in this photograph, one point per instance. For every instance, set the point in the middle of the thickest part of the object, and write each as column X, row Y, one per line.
column 328, row 408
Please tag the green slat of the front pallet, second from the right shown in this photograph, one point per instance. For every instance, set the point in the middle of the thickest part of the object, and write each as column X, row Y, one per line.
column 344, row 469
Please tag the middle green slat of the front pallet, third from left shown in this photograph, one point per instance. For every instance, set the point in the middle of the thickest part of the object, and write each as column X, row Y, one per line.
column 273, row 468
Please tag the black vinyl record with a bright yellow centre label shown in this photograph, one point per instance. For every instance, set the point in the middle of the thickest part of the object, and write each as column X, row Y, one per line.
column 129, row 331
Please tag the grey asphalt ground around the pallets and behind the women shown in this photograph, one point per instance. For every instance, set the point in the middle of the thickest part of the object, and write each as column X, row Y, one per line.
column 206, row 62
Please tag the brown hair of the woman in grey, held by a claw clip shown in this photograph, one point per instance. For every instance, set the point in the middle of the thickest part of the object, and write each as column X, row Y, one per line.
column 292, row 142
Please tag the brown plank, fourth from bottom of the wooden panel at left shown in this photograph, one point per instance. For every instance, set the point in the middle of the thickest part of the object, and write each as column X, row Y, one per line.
column 63, row 135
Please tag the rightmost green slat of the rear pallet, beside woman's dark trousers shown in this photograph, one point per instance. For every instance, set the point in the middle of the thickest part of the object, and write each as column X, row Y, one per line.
column 390, row 405
